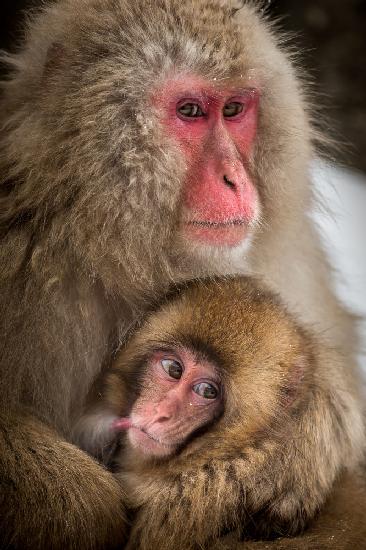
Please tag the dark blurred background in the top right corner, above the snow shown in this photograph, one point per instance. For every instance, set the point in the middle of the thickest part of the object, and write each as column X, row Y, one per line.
column 331, row 35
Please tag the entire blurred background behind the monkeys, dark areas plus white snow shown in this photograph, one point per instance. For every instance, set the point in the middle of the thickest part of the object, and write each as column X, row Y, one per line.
column 330, row 36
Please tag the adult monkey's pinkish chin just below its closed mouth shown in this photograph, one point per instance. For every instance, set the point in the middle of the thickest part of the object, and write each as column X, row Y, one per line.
column 216, row 234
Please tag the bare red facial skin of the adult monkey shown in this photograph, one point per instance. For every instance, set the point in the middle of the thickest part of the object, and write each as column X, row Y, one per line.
column 219, row 197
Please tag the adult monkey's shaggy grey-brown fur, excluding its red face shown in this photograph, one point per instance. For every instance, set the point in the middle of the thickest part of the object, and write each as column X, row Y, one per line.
column 90, row 191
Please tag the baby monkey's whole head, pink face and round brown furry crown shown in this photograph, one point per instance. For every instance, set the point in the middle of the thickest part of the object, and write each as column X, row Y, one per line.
column 219, row 360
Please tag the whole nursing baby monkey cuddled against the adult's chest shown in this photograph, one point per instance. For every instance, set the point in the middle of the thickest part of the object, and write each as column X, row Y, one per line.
column 227, row 427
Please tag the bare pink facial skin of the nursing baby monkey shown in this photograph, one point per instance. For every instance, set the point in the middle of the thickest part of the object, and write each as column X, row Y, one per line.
column 169, row 409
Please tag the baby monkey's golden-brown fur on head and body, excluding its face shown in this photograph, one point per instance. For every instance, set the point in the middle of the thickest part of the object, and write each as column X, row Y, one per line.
column 256, row 469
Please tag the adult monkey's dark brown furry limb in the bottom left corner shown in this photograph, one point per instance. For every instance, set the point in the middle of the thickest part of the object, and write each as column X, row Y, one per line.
column 80, row 501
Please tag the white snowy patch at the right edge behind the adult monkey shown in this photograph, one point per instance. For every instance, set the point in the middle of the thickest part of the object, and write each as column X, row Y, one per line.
column 343, row 228
